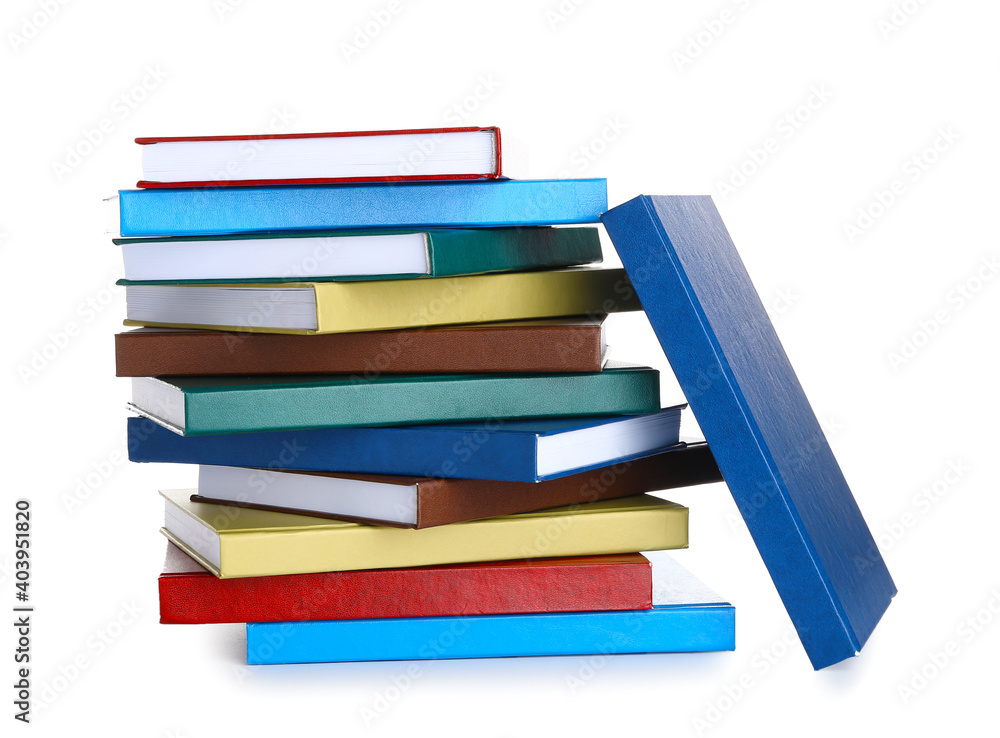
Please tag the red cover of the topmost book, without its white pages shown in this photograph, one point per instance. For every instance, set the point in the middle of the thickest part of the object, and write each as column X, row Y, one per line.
column 495, row 172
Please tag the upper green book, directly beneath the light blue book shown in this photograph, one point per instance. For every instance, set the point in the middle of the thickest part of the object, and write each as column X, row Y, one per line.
column 353, row 255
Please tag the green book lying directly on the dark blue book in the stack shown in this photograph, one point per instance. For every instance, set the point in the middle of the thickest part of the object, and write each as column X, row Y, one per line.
column 197, row 405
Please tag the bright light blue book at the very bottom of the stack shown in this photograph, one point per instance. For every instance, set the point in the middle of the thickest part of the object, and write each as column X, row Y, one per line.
column 686, row 616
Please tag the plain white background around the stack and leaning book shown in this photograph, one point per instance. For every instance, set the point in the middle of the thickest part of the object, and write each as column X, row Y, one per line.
column 598, row 89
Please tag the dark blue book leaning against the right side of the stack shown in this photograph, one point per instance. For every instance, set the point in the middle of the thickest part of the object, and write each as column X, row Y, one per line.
column 756, row 419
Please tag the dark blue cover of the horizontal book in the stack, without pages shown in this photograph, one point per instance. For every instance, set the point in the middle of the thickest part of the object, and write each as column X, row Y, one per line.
column 498, row 451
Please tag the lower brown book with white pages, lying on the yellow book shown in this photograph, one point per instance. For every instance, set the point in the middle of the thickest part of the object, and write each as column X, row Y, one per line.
column 424, row 502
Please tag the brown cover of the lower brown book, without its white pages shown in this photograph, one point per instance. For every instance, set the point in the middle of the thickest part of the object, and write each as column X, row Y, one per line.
column 444, row 501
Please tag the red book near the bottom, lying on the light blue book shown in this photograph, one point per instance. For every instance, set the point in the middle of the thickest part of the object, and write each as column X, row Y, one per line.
column 189, row 593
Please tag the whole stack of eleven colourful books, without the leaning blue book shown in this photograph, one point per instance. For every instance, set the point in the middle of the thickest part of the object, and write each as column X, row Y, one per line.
column 389, row 362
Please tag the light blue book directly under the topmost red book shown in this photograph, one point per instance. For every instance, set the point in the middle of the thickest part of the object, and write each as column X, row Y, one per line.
column 206, row 211
